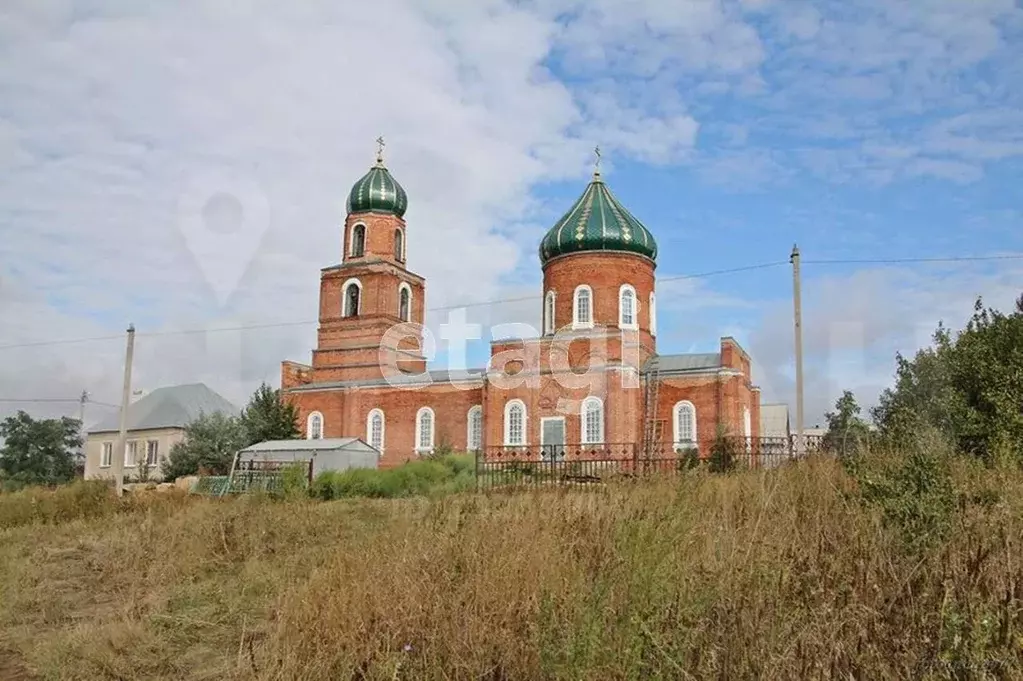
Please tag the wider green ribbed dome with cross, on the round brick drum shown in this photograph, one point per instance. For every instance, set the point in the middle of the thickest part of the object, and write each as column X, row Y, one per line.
column 598, row 222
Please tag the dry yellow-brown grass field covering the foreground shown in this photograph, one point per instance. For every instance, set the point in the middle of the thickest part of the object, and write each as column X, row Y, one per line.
column 810, row 572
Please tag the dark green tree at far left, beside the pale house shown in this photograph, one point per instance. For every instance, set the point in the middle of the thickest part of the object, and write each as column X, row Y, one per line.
column 39, row 452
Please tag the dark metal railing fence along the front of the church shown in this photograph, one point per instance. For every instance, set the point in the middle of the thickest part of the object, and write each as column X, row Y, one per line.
column 505, row 467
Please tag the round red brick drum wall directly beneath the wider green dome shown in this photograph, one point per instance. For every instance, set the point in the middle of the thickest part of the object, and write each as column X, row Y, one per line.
column 604, row 274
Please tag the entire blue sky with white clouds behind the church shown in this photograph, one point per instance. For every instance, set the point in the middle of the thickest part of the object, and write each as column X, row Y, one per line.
column 861, row 129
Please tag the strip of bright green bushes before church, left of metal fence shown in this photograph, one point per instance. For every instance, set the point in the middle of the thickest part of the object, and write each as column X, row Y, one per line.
column 435, row 476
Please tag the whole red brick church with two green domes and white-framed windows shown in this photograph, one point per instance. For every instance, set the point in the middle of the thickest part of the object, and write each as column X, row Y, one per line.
column 591, row 381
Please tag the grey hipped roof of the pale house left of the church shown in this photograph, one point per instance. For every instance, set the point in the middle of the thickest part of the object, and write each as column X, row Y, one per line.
column 170, row 407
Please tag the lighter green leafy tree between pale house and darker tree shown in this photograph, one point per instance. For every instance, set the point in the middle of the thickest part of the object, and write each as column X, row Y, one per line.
column 210, row 445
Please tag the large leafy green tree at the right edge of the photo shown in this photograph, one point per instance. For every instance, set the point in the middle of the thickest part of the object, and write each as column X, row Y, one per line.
column 969, row 386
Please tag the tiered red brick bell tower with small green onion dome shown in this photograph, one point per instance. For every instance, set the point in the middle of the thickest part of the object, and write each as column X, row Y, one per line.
column 372, row 306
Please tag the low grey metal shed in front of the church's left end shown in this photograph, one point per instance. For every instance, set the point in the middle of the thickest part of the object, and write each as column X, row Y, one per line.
column 326, row 455
